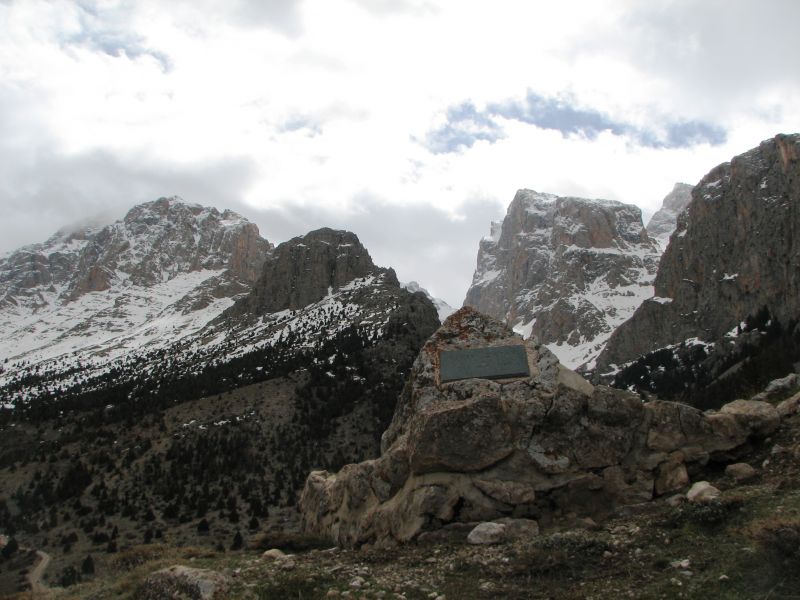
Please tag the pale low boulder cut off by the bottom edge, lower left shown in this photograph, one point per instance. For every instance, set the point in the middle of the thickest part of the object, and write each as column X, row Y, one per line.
column 184, row 583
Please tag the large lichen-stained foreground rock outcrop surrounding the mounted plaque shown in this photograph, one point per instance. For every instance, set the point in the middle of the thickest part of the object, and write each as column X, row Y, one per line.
column 534, row 447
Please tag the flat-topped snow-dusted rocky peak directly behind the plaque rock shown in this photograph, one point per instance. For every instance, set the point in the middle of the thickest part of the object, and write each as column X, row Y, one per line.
column 566, row 270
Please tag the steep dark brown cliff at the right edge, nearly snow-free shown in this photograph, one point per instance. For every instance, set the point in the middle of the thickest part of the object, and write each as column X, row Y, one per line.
column 735, row 251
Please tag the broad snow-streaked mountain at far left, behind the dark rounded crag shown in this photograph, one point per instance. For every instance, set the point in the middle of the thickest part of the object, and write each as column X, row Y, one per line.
column 159, row 274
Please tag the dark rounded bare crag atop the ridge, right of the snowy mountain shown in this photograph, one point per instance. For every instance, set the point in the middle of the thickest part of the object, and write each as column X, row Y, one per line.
column 306, row 269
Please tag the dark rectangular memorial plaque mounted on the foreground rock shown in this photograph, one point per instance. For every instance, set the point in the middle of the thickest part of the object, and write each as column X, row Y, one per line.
column 496, row 362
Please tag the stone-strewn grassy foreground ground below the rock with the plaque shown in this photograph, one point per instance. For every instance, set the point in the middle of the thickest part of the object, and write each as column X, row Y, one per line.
column 743, row 544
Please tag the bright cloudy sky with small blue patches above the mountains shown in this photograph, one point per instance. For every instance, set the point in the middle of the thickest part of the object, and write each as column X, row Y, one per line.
column 410, row 122
